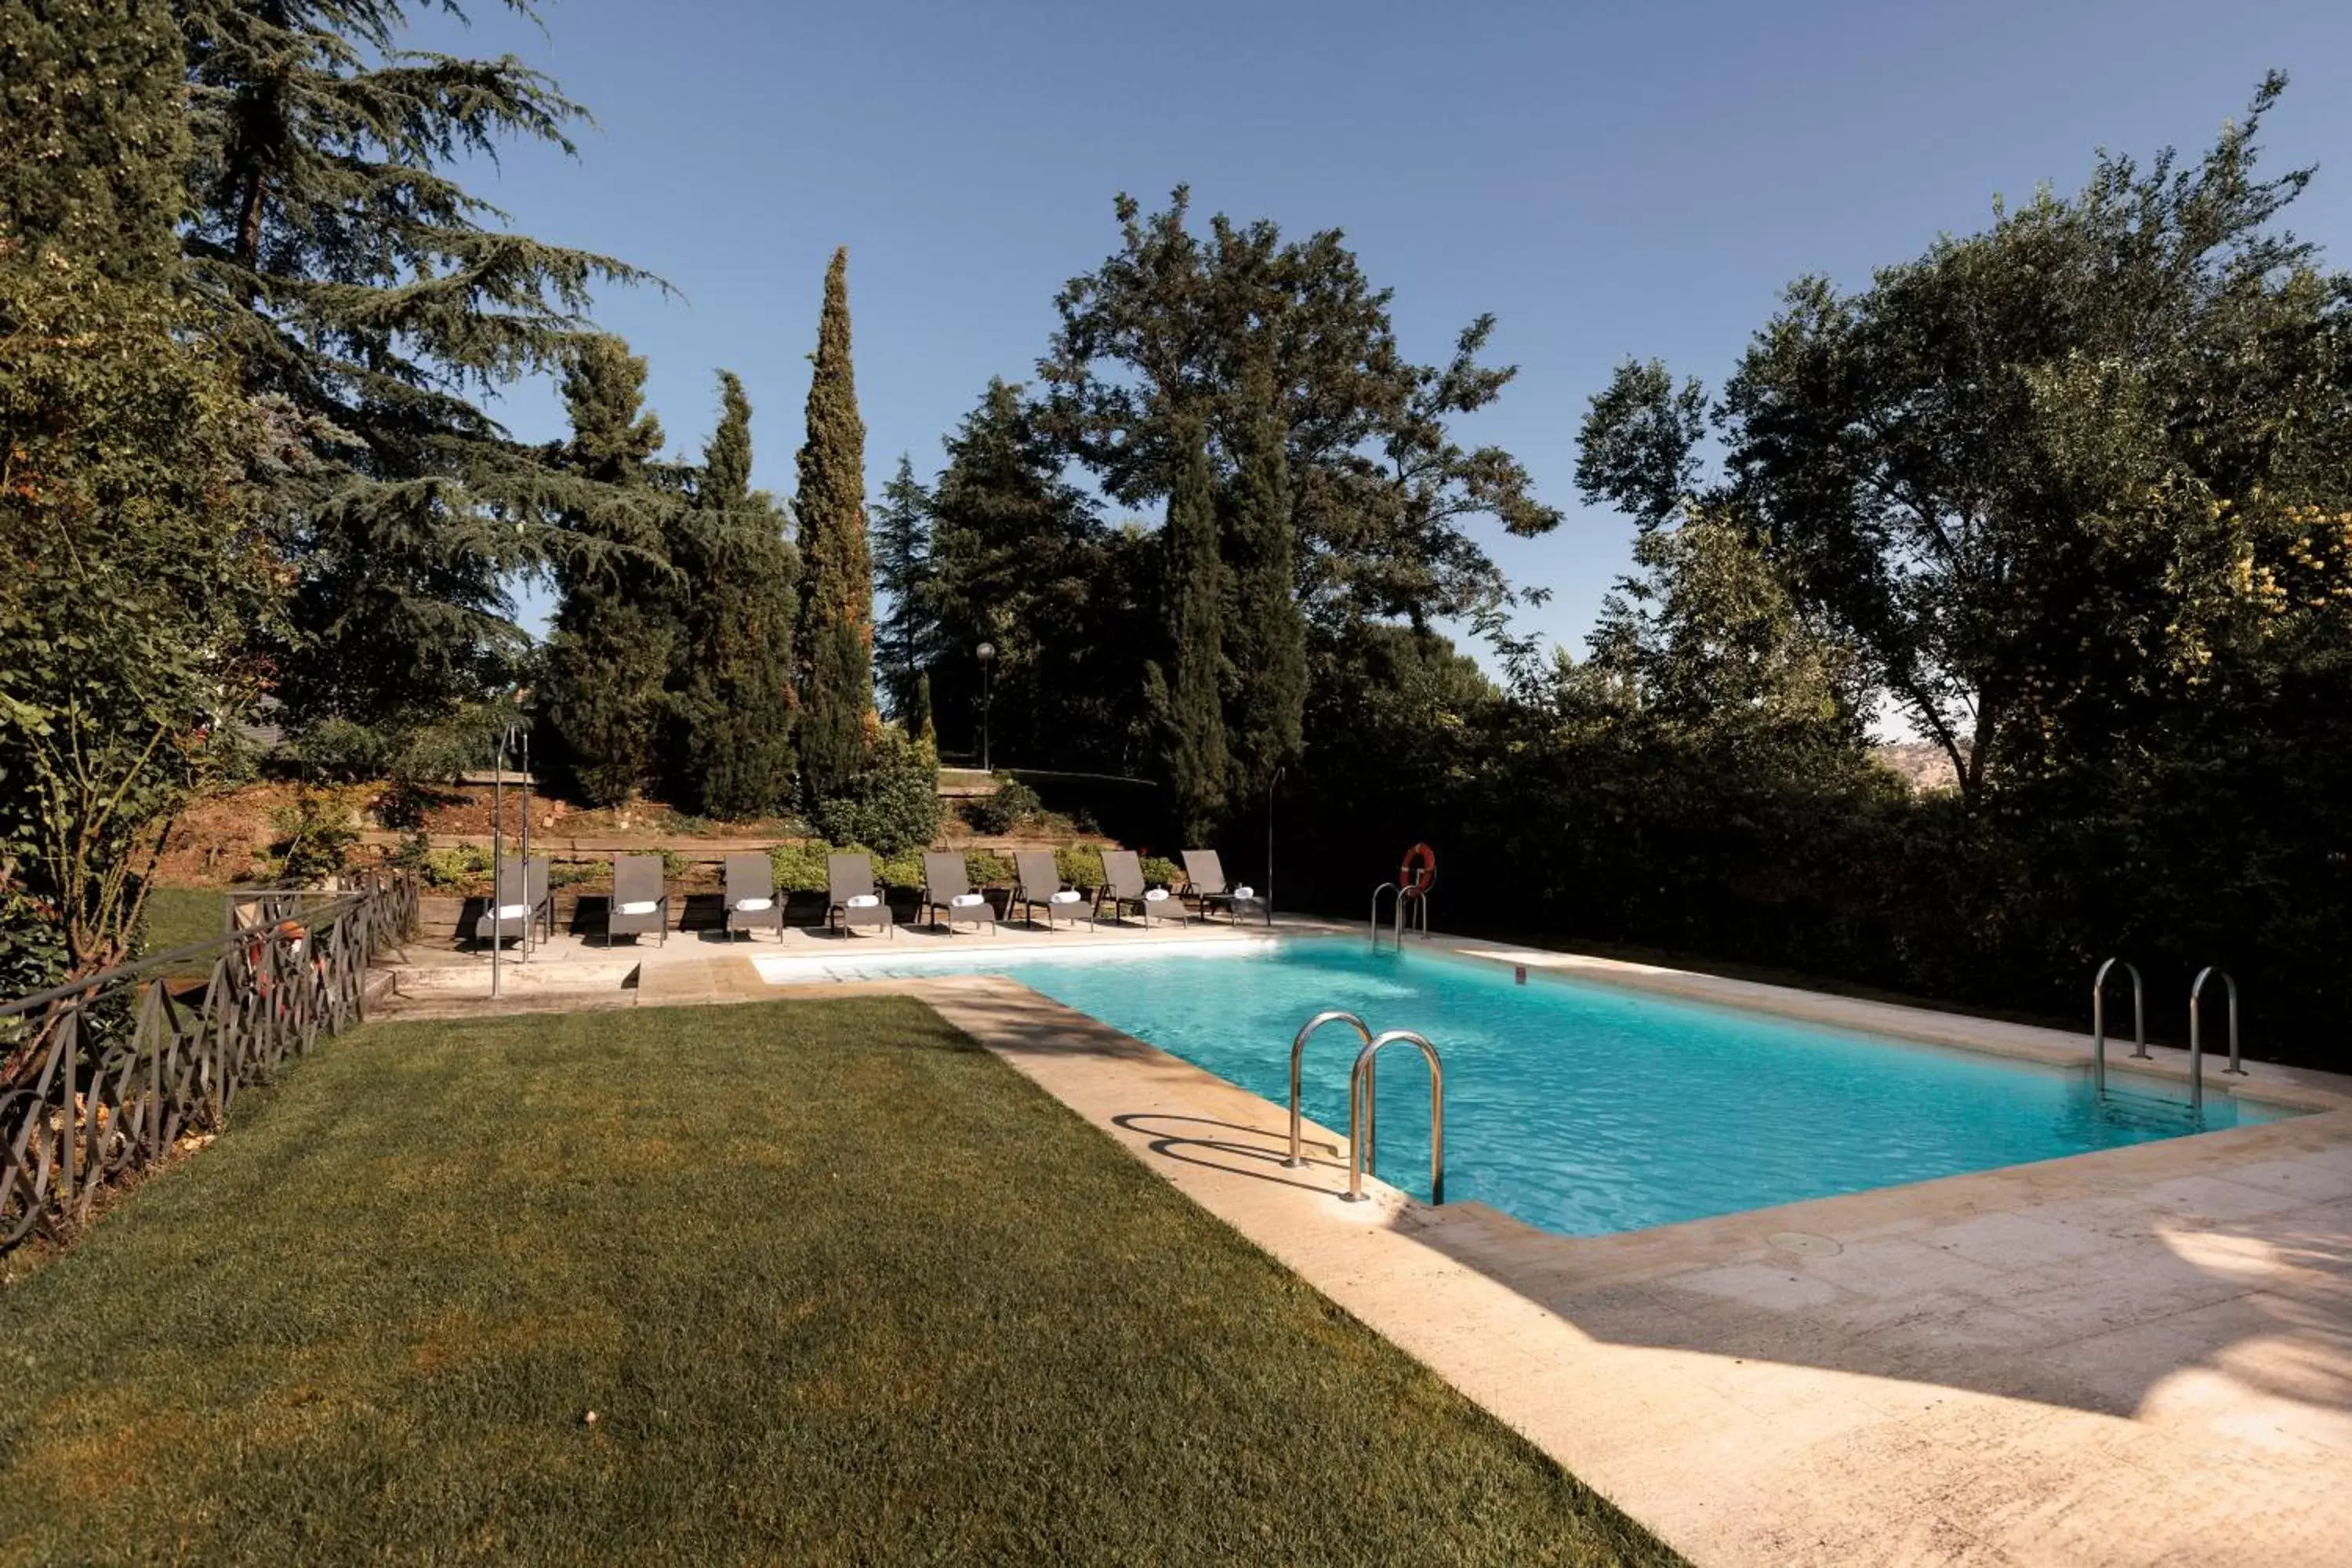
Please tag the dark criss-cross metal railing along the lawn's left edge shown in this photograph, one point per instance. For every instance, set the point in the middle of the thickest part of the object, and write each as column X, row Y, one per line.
column 102, row 1076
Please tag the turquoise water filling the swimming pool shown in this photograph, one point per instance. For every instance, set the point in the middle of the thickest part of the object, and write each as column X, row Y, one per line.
column 1586, row 1108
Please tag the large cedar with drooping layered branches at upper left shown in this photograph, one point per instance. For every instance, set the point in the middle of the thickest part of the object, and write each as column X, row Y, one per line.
column 373, row 302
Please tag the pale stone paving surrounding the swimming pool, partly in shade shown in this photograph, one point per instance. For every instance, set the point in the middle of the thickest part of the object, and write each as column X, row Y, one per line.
column 2137, row 1355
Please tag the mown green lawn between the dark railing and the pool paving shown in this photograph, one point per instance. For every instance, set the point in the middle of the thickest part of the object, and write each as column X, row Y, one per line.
column 838, row 1287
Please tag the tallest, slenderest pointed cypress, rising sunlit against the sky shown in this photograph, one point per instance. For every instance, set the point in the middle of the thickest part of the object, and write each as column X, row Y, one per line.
column 836, row 591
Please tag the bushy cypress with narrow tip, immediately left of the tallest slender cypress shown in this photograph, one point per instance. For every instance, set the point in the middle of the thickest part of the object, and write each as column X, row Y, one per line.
column 733, row 685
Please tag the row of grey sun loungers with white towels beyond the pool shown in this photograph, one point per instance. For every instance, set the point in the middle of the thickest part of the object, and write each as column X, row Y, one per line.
column 641, row 897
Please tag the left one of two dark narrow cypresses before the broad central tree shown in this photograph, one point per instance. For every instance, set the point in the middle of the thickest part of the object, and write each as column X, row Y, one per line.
column 1189, row 690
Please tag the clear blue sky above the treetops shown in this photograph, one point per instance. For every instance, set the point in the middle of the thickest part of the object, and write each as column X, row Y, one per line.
column 1610, row 180
